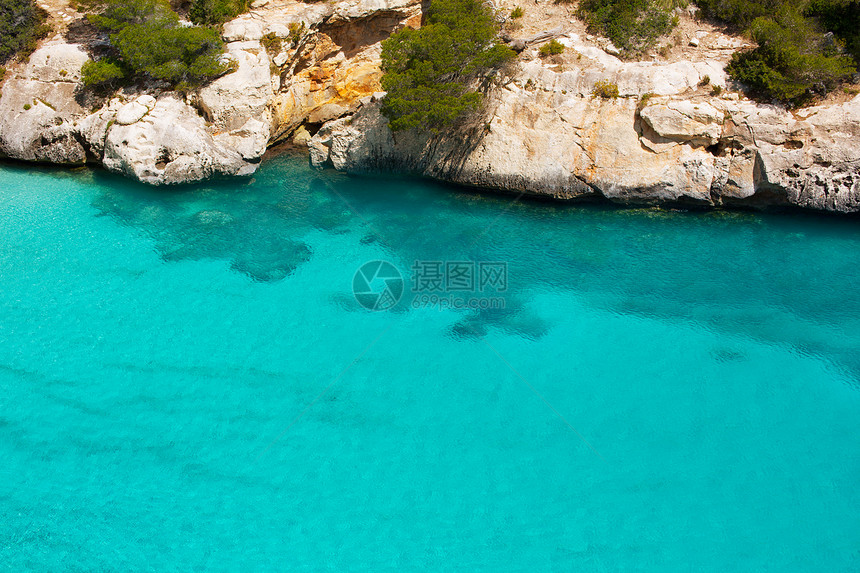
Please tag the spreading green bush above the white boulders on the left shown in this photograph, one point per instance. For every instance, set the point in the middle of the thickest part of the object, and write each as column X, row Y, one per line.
column 149, row 42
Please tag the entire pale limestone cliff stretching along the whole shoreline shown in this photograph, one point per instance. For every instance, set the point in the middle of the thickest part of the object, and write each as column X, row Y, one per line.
column 669, row 138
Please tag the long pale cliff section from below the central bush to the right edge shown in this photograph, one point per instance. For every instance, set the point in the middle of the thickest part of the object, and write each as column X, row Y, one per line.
column 545, row 134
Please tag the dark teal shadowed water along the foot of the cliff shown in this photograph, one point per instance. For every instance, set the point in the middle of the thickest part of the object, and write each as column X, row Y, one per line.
column 787, row 279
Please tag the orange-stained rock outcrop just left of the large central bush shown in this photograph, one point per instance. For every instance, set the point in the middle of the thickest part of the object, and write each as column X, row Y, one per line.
column 329, row 59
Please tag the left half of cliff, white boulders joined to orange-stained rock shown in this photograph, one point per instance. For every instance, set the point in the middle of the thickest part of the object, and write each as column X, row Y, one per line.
column 328, row 61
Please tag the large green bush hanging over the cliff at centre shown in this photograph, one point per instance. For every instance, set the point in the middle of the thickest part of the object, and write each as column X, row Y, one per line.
column 430, row 74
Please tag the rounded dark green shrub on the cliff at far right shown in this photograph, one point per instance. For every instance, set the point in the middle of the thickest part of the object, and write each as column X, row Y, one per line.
column 793, row 61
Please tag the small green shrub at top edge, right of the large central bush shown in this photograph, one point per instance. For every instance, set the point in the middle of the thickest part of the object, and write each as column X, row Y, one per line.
column 632, row 25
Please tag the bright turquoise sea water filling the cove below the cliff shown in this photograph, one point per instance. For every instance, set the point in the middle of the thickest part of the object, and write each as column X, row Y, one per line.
column 188, row 383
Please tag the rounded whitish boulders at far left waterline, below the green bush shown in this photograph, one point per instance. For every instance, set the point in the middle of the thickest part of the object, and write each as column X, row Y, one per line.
column 160, row 140
